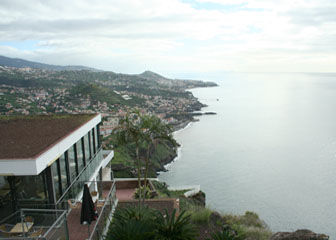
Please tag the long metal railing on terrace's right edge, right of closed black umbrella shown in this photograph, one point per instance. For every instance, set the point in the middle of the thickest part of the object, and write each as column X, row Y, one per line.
column 105, row 215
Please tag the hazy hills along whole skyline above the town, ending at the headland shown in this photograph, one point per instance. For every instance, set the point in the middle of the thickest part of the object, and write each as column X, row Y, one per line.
column 14, row 72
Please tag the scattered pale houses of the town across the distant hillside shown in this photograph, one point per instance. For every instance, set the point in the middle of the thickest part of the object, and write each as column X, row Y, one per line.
column 28, row 100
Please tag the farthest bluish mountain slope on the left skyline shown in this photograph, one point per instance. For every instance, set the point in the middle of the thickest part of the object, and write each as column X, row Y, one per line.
column 21, row 63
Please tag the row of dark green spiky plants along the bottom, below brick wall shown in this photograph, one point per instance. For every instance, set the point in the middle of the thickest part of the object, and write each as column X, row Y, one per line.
column 145, row 223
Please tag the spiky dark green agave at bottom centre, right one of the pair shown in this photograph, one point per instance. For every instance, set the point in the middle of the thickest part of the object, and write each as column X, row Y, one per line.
column 170, row 227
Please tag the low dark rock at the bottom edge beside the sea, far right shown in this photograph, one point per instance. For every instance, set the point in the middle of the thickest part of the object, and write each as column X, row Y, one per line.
column 302, row 234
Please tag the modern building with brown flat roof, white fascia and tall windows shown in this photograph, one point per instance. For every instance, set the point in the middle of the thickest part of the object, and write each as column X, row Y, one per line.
column 46, row 160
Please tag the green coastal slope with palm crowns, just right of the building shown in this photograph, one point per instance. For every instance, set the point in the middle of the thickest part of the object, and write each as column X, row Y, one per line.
column 142, row 144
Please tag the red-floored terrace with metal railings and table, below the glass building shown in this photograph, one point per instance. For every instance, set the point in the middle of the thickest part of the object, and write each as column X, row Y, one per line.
column 64, row 223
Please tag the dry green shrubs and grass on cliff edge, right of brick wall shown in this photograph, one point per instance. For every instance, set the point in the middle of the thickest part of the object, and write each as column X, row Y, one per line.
column 215, row 226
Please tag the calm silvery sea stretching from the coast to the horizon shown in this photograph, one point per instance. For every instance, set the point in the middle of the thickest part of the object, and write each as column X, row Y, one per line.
column 270, row 149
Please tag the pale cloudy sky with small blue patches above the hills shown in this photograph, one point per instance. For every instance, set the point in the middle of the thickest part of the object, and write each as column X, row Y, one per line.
column 173, row 37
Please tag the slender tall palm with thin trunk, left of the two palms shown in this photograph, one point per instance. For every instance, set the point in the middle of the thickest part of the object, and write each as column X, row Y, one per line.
column 129, row 131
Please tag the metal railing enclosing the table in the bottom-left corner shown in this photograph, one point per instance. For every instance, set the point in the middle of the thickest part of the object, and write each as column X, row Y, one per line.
column 36, row 224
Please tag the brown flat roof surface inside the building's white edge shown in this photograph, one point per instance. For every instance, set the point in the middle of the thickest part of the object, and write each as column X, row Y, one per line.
column 24, row 137
